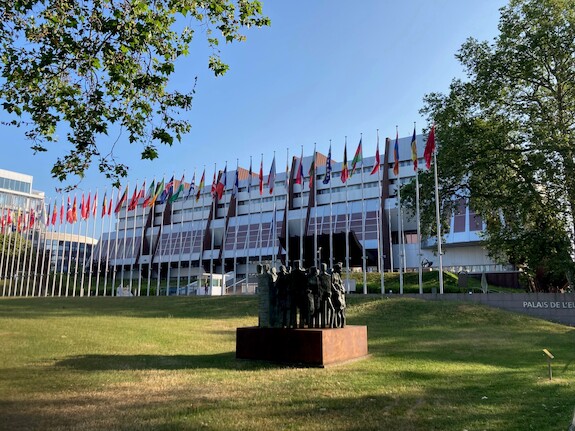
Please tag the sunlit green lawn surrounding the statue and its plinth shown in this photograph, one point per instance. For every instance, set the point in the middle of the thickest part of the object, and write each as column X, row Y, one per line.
column 169, row 364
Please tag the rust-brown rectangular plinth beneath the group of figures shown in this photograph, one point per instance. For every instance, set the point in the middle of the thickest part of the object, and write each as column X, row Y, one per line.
column 310, row 347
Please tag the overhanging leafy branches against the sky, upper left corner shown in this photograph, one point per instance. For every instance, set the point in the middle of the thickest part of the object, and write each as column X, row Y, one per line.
column 88, row 65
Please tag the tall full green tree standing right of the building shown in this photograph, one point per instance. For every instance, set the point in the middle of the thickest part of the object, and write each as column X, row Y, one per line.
column 506, row 140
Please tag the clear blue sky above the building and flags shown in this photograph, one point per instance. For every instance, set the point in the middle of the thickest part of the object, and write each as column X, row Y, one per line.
column 323, row 71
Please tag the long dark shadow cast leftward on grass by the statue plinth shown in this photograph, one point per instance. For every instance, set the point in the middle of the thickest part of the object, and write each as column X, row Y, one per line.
column 221, row 361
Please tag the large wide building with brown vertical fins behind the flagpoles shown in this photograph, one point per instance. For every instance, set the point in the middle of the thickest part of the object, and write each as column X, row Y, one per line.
column 288, row 219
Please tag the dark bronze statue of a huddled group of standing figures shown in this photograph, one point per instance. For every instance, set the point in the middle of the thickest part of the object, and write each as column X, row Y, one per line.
column 298, row 298
